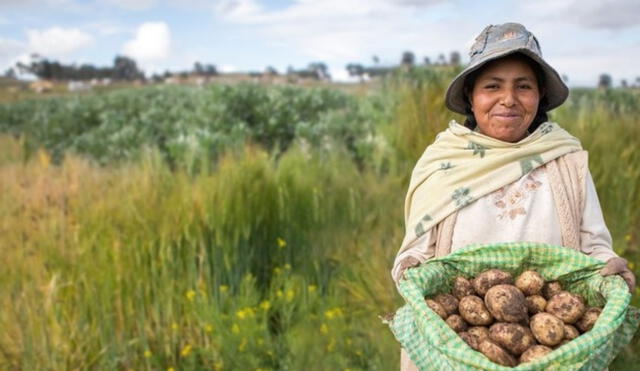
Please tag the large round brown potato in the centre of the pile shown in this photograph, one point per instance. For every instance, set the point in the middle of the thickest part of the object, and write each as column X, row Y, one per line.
column 506, row 303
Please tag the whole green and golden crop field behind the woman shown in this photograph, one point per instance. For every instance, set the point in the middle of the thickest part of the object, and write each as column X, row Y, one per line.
column 240, row 227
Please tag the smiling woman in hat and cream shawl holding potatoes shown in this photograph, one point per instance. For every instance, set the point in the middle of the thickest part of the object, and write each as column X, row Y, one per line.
column 508, row 174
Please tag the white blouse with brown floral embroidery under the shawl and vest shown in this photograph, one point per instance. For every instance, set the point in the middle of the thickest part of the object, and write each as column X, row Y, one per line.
column 521, row 211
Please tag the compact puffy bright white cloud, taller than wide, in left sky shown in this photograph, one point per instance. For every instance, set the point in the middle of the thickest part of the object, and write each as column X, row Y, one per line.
column 152, row 43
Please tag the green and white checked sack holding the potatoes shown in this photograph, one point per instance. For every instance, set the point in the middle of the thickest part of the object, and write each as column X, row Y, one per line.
column 432, row 345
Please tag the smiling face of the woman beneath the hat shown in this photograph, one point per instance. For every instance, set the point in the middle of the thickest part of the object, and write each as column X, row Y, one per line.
column 505, row 99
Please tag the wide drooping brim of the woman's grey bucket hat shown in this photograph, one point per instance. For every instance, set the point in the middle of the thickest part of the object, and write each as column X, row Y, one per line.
column 556, row 91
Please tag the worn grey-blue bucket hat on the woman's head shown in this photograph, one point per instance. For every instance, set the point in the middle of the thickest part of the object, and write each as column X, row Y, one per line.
column 497, row 41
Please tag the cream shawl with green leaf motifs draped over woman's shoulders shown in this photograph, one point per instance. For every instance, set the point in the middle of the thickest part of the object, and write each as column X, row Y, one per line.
column 462, row 166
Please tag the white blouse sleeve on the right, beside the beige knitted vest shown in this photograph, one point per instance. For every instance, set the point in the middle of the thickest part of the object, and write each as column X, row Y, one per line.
column 595, row 239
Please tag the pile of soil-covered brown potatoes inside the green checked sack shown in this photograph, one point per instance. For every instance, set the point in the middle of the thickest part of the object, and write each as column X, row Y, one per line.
column 513, row 322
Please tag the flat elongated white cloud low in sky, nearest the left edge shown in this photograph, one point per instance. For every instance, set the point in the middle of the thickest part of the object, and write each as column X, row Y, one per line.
column 57, row 41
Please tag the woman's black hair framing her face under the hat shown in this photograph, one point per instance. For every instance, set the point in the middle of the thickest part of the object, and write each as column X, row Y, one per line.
column 541, row 114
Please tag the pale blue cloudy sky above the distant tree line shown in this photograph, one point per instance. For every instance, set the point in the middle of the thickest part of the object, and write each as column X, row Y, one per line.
column 580, row 38
